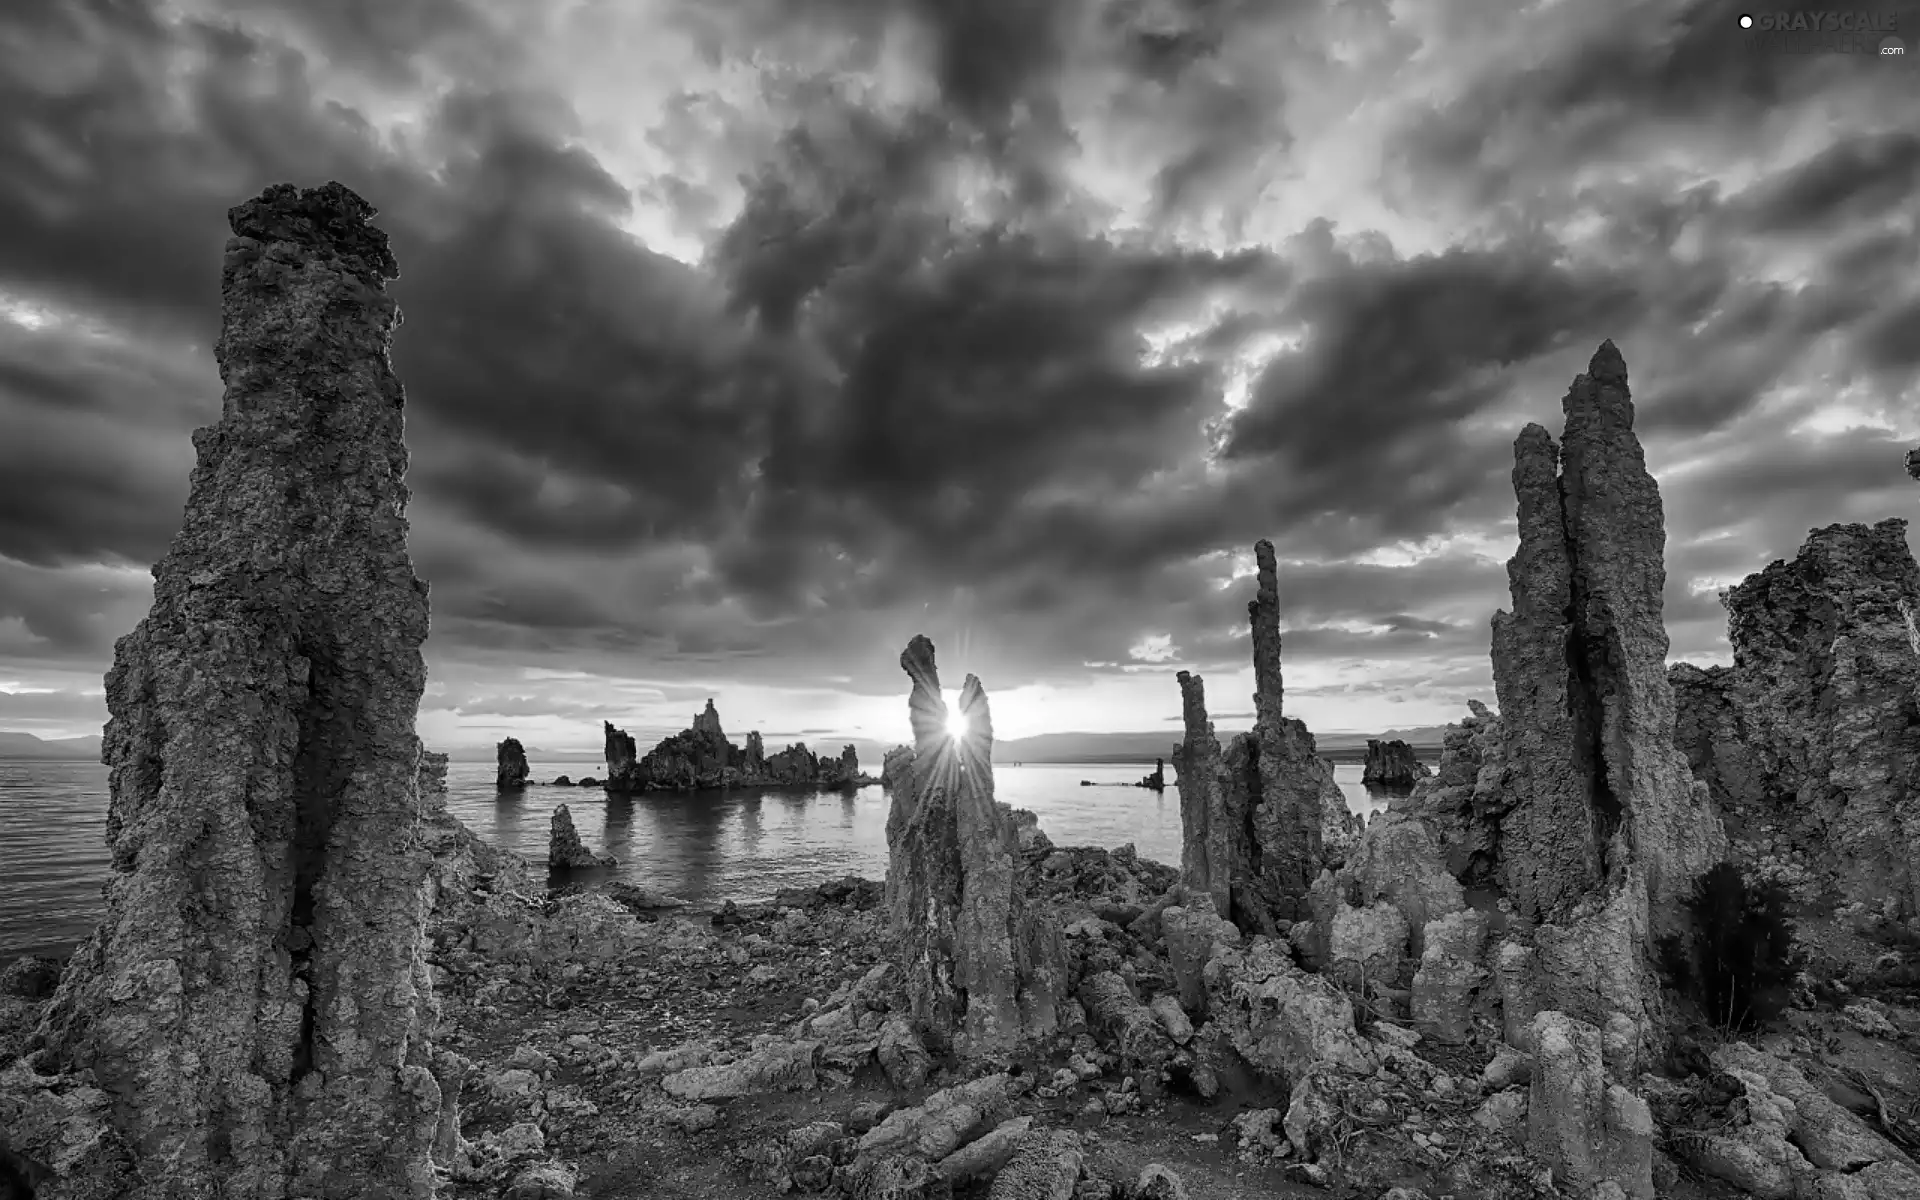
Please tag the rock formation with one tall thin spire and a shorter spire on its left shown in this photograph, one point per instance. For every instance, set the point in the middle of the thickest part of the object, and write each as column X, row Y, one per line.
column 1264, row 819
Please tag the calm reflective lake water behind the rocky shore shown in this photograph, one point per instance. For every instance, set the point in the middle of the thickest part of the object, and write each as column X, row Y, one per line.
column 704, row 850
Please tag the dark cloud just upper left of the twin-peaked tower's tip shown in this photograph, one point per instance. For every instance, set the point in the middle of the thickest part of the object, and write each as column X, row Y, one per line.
column 1395, row 362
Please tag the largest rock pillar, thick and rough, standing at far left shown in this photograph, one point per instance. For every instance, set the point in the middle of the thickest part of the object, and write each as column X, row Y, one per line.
column 254, row 1001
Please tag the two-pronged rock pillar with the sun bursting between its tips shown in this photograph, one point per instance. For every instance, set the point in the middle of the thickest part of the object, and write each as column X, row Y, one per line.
column 982, row 971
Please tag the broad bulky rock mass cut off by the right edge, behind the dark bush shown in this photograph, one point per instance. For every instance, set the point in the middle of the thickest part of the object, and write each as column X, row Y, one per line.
column 1812, row 738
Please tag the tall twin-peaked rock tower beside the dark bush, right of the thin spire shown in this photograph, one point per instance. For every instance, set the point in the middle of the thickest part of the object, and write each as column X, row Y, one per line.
column 1581, row 669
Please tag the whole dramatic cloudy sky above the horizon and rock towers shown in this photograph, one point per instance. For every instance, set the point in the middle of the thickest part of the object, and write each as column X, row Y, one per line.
column 746, row 339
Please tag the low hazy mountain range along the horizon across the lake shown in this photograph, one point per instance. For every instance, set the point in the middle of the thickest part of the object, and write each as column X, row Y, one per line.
column 1044, row 748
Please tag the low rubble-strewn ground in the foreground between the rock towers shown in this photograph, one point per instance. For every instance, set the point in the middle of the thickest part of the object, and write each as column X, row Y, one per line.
column 627, row 1051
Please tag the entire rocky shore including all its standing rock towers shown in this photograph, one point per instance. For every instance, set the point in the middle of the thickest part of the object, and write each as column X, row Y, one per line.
column 314, row 982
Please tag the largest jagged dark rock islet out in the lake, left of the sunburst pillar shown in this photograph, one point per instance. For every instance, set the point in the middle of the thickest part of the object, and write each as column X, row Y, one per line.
column 702, row 757
